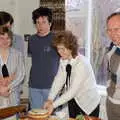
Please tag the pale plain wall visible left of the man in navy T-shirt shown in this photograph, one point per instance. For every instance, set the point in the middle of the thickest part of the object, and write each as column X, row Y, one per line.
column 25, row 26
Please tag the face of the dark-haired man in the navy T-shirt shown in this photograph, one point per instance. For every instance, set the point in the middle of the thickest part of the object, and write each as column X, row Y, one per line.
column 43, row 25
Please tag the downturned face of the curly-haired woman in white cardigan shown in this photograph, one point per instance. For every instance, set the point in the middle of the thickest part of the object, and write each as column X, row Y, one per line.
column 64, row 52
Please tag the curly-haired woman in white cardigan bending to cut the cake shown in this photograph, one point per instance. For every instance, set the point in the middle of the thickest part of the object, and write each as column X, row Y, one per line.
column 75, row 81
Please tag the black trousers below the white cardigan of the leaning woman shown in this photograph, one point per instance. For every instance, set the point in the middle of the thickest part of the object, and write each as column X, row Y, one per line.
column 75, row 110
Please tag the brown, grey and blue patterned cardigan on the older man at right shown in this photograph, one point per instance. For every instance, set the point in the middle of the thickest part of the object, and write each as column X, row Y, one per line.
column 113, row 88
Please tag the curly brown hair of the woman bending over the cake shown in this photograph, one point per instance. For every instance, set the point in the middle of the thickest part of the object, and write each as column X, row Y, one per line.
column 67, row 39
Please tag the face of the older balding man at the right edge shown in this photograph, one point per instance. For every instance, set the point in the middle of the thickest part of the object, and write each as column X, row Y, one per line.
column 113, row 29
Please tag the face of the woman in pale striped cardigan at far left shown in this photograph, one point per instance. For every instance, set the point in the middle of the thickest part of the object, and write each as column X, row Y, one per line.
column 5, row 41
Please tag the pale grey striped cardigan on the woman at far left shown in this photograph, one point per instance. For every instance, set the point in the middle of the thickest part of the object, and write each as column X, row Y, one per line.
column 15, row 64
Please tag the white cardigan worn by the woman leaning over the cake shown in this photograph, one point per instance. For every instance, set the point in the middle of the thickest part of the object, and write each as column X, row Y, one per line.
column 82, row 88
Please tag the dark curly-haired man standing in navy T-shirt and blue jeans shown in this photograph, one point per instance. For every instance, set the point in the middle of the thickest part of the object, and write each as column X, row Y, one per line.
column 44, row 57
